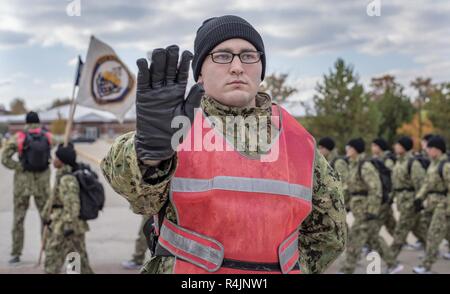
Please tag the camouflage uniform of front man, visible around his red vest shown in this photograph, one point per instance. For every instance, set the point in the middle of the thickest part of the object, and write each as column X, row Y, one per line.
column 323, row 233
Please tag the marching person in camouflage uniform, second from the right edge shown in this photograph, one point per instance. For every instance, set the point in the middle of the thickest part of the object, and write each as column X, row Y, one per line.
column 405, row 185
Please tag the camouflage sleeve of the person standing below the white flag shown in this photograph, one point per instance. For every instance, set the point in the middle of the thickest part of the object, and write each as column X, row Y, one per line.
column 69, row 190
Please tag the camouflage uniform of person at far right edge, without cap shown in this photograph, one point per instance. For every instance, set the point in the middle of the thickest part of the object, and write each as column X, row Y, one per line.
column 434, row 192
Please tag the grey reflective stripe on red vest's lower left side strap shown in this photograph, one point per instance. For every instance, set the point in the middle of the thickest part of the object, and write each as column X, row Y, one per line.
column 207, row 253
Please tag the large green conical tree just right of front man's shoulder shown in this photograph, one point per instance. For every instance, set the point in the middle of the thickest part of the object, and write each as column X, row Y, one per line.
column 342, row 109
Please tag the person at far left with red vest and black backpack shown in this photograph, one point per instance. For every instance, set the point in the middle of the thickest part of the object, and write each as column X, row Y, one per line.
column 31, row 175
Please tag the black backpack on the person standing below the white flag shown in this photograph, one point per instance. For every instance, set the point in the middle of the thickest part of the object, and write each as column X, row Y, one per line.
column 92, row 194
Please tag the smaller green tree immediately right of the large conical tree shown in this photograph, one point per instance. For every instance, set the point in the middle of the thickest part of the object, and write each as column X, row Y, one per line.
column 395, row 108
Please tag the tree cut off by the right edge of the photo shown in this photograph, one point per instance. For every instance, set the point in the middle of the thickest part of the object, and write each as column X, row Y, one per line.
column 438, row 108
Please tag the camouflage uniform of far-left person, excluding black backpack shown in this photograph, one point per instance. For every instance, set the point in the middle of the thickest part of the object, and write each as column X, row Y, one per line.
column 26, row 184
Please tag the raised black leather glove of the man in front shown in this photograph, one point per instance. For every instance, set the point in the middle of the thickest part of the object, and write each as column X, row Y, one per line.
column 160, row 98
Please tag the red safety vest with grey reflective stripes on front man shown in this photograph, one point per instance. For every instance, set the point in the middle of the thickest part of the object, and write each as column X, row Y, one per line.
column 236, row 214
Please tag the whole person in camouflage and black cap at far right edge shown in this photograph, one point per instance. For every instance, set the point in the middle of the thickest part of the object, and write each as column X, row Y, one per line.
column 434, row 193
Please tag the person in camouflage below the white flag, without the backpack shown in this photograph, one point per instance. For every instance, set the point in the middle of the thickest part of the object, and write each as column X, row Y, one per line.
column 66, row 228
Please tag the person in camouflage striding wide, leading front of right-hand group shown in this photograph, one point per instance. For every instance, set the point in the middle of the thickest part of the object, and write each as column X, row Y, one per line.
column 365, row 188
